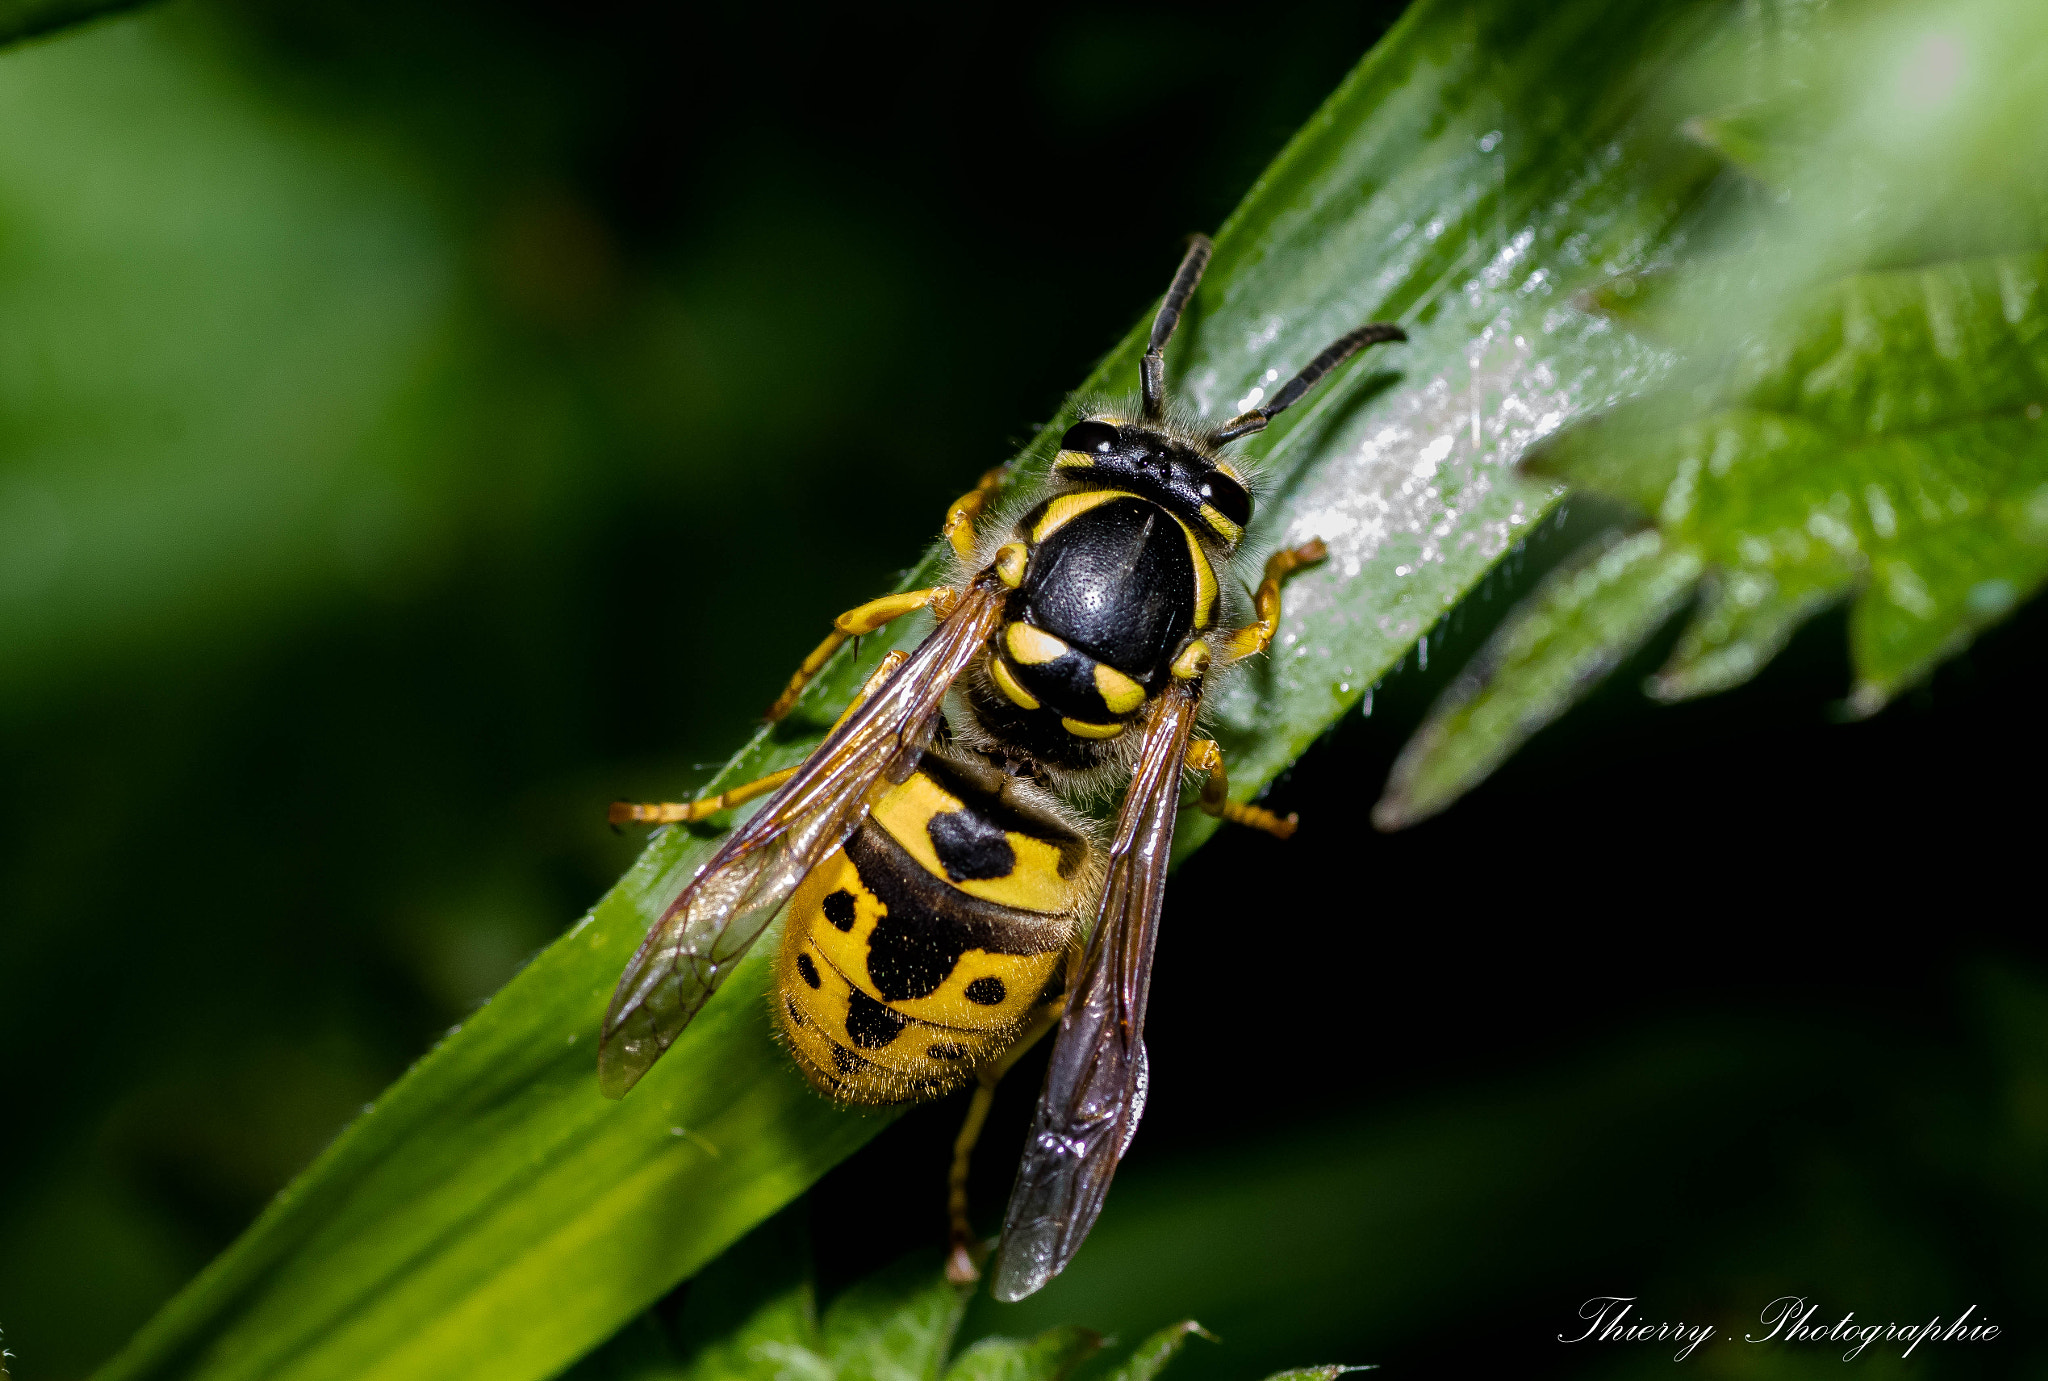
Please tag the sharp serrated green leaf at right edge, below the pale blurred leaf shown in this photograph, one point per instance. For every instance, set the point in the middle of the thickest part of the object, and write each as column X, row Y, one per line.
column 1889, row 444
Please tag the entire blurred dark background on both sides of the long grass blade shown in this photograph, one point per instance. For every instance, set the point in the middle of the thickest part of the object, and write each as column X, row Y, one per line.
column 423, row 425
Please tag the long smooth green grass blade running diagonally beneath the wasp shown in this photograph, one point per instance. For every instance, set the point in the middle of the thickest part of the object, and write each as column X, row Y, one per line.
column 495, row 1216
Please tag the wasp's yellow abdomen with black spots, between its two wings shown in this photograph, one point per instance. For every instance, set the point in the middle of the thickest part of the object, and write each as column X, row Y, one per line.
column 925, row 944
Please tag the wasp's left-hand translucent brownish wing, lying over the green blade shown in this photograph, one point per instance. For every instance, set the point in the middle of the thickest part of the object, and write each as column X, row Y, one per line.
column 740, row 890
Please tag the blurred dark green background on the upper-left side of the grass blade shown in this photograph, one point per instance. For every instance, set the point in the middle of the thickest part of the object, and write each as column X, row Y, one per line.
column 425, row 425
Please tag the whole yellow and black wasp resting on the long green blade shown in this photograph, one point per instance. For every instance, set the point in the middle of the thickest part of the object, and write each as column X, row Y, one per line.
column 937, row 860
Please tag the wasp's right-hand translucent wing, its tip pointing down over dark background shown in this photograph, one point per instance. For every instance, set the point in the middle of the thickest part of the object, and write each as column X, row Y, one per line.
column 1095, row 1091
